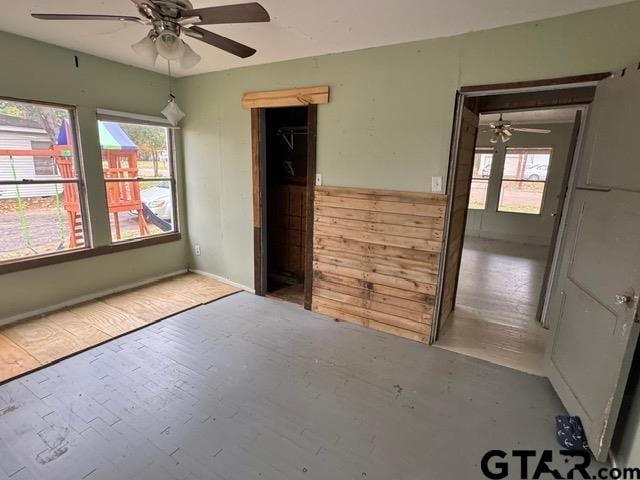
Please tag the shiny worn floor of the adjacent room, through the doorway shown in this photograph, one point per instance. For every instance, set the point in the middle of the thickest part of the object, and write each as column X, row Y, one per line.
column 495, row 314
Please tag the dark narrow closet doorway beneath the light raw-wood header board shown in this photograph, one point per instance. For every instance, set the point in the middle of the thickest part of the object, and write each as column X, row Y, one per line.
column 284, row 142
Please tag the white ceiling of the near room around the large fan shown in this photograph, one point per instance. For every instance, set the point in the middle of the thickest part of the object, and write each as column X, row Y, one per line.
column 299, row 28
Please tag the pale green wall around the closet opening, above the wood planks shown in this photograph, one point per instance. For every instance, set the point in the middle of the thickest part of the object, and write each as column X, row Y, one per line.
column 388, row 124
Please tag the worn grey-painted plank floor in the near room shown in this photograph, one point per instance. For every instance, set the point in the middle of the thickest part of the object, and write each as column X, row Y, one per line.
column 252, row 388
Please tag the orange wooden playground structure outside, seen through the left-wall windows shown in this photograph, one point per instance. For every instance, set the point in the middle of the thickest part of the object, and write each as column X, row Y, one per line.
column 120, row 167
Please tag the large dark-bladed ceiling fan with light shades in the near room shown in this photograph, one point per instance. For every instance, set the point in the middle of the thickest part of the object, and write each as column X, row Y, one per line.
column 170, row 19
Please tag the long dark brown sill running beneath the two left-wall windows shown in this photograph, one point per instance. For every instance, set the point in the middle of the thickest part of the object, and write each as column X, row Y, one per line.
column 45, row 260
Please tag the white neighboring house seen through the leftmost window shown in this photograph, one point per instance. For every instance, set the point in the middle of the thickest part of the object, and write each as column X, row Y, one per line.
column 24, row 134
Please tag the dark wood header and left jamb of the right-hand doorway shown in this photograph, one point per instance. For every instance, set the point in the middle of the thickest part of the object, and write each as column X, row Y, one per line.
column 556, row 92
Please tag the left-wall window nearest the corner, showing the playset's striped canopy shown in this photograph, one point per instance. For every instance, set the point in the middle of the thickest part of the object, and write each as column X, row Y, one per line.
column 137, row 163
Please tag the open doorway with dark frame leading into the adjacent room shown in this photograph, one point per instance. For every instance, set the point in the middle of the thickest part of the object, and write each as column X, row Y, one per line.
column 507, row 191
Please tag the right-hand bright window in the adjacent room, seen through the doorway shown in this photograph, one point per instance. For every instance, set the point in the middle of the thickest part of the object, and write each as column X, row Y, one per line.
column 524, row 179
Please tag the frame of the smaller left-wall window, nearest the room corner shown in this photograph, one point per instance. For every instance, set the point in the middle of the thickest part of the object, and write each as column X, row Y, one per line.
column 144, row 120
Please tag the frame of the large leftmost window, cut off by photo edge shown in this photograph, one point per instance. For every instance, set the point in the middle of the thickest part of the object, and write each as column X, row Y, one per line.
column 80, row 182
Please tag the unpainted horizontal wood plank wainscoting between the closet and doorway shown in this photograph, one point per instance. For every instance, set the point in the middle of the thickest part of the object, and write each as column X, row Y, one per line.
column 376, row 255
